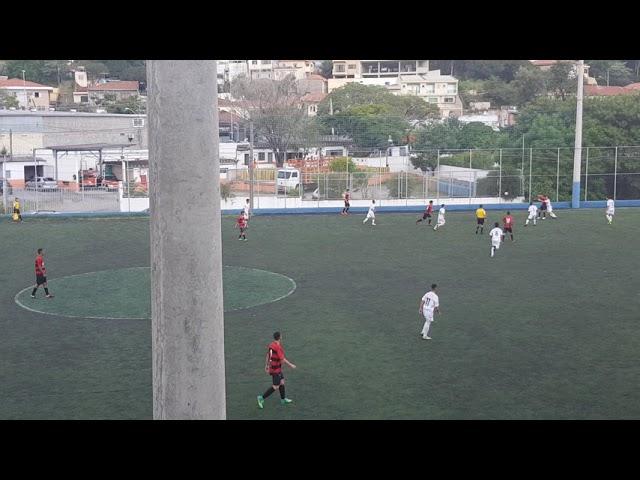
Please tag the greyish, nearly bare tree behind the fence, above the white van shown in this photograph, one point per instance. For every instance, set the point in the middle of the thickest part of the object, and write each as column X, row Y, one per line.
column 276, row 111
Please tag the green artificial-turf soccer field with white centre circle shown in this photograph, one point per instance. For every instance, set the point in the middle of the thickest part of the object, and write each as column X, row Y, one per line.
column 548, row 329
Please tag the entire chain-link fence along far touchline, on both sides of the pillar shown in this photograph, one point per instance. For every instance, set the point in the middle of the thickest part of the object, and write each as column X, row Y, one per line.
column 473, row 176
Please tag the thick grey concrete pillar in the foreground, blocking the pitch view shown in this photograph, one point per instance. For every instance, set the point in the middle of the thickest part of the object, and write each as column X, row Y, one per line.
column 186, row 249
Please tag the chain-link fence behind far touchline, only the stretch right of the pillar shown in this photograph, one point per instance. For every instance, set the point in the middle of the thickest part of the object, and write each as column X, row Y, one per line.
column 479, row 175
